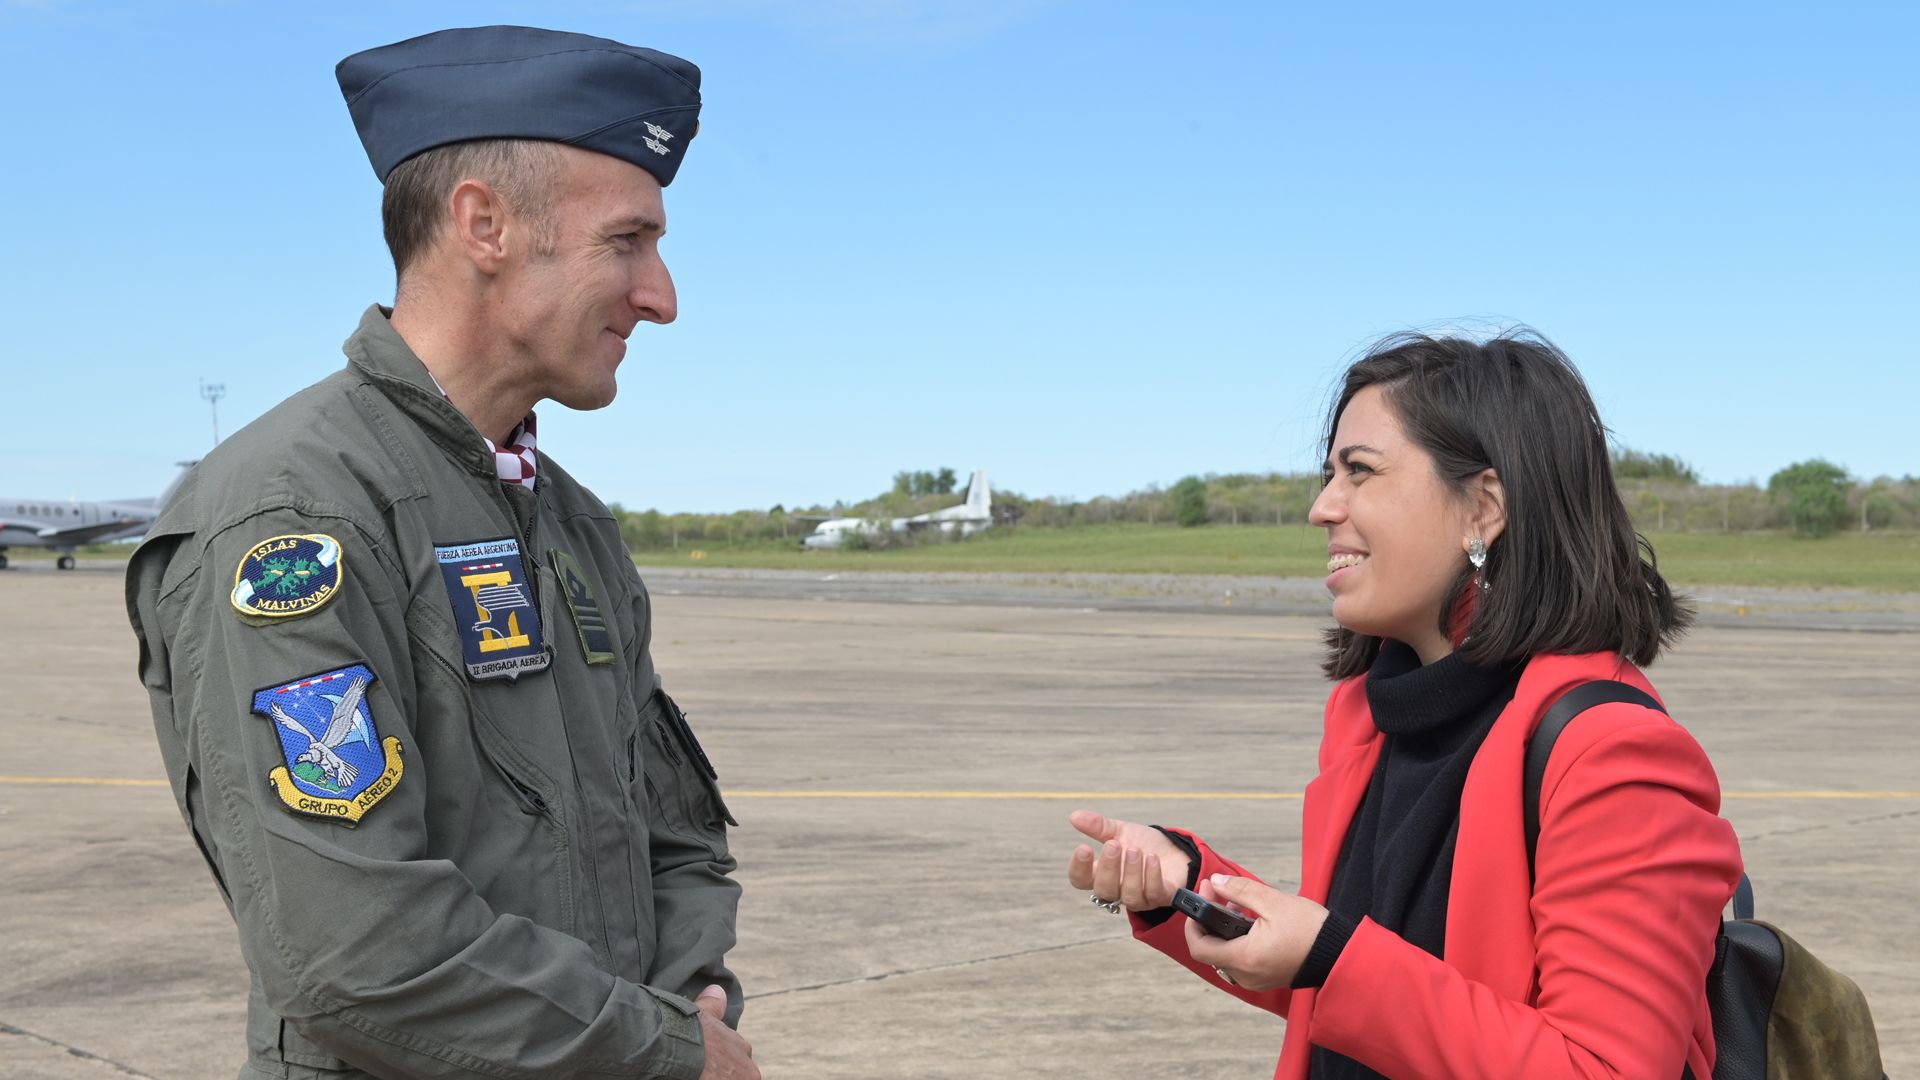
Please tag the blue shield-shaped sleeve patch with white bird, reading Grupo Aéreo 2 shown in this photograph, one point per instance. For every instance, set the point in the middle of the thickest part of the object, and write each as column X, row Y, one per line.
column 335, row 762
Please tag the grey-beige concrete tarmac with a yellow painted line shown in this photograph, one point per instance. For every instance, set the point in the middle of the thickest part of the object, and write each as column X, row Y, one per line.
column 923, row 937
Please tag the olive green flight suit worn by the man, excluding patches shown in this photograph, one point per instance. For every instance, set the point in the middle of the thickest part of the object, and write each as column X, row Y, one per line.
column 546, row 887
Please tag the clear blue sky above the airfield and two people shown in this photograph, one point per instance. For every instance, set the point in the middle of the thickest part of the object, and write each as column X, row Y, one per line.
column 1082, row 245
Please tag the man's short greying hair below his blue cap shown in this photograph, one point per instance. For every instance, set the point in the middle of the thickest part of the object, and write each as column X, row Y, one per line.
column 523, row 172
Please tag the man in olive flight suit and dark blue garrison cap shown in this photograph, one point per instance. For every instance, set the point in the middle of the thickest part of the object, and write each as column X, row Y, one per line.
column 400, row 660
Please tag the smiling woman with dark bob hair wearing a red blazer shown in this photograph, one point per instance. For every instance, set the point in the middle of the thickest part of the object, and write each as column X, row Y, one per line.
column 1481, row 566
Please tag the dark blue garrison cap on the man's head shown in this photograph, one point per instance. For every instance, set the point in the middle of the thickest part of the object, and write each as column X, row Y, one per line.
column 600, row 95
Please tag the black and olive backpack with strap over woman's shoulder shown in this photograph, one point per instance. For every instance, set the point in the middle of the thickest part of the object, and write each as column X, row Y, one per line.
column 1779, row 1014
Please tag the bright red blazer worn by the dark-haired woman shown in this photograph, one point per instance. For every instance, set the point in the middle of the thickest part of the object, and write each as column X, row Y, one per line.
column 1600, row 971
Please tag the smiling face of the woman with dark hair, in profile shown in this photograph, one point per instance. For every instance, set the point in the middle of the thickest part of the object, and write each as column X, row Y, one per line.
column 1397, row 535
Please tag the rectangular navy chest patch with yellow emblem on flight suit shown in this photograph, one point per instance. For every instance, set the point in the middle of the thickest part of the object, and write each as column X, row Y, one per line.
column 496, row 608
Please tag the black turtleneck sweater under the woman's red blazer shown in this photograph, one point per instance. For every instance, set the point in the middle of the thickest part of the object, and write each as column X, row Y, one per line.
column 1397, row 862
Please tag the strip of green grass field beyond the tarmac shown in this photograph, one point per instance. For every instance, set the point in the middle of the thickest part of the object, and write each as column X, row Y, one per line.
column 1884, row 562
